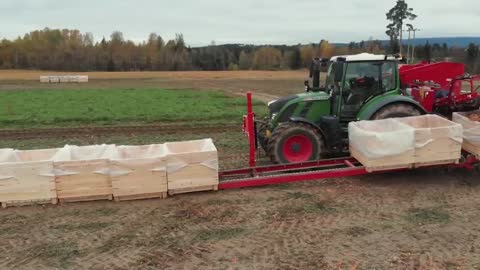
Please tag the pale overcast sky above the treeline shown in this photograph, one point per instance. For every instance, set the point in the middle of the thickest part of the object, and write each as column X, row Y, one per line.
column 240, row 21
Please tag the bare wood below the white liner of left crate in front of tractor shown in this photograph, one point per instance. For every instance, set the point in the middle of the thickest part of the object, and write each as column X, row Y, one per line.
column 401, row 161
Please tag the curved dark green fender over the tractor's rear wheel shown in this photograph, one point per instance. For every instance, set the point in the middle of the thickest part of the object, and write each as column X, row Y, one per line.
column 382, row 101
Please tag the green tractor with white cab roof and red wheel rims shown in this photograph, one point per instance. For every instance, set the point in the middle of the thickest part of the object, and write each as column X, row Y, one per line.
column 314, row 125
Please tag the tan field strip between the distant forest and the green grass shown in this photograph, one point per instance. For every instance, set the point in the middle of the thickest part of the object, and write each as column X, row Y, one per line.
column 267, row 84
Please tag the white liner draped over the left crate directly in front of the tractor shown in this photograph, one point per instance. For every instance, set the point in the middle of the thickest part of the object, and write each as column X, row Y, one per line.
column 381, row 138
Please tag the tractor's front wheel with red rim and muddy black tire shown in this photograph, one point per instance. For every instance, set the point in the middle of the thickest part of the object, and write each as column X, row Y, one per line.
column 295, row 142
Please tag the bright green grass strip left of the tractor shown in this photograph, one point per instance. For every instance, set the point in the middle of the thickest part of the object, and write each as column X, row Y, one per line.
column 48, row 108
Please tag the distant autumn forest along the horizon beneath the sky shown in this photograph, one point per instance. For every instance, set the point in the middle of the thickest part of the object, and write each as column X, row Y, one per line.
column 71, row 50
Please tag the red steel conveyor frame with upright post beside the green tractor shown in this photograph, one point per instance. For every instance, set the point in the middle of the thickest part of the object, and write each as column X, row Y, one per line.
column 307, row 171
